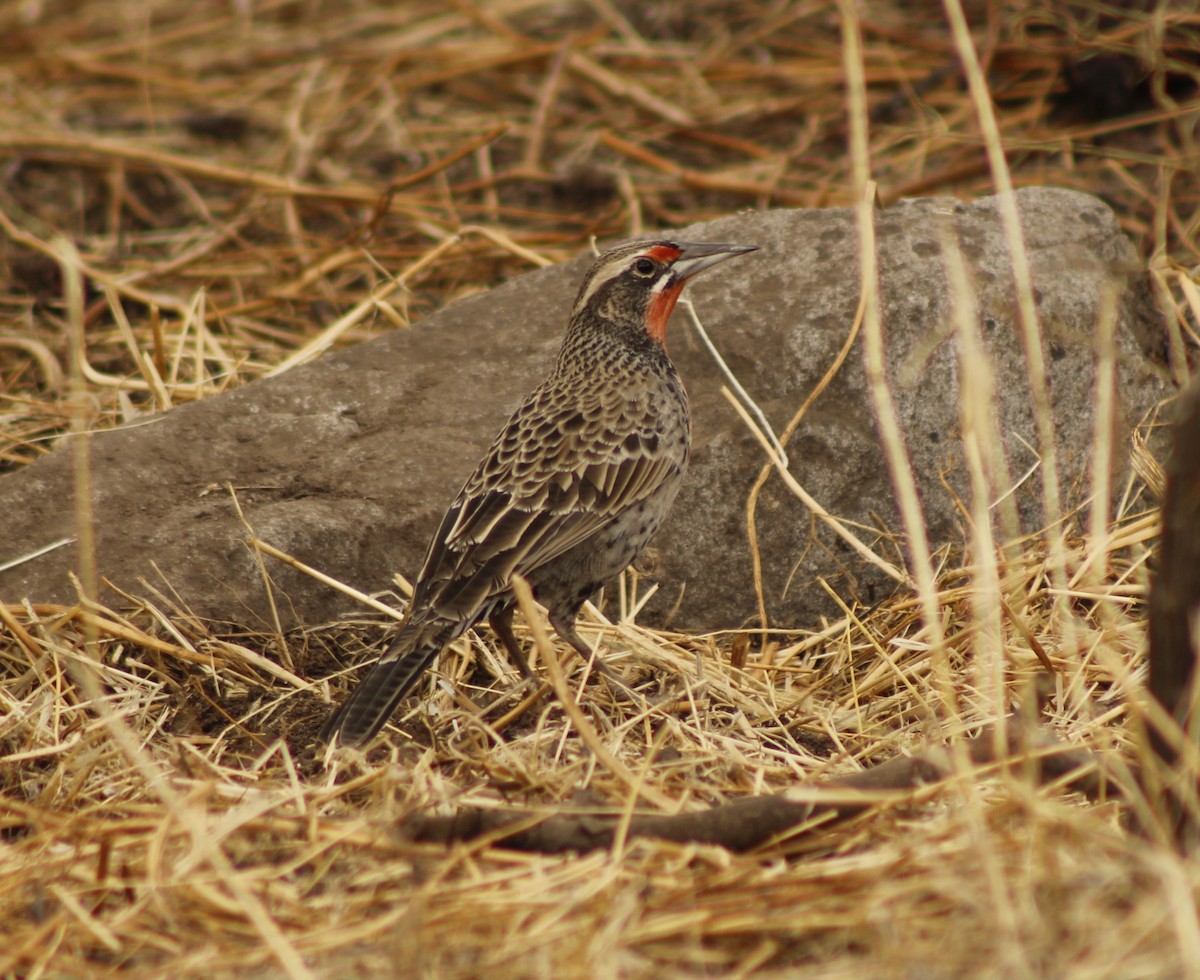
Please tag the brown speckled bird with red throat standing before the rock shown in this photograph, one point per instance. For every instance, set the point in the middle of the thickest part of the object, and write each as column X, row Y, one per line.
column 573, row 488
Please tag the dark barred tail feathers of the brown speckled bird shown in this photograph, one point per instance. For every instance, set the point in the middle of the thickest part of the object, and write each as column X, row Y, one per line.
column 369, row 707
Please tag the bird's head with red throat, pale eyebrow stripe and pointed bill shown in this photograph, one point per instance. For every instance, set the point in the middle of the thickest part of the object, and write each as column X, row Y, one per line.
column 638, row 285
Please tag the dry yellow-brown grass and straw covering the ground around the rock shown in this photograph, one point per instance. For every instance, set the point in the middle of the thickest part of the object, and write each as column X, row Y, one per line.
column 249, row 185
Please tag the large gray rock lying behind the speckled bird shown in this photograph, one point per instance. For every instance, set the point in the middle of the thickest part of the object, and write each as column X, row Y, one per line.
column 347, row 464
